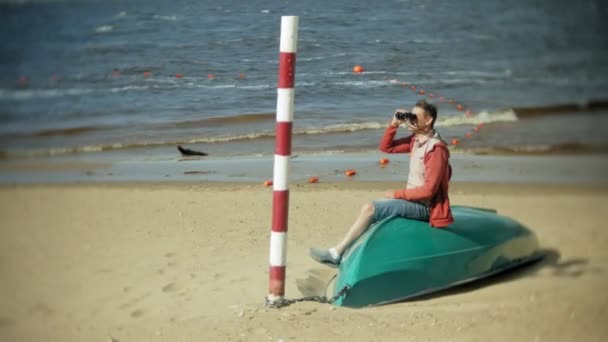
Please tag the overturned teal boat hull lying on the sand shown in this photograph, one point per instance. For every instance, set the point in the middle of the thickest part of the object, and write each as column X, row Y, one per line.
column 399, row 259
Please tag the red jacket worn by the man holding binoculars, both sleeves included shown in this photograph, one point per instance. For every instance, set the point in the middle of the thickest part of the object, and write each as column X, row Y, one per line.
column 437, row 176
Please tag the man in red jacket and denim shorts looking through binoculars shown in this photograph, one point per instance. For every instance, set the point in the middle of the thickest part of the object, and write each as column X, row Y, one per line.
column 425, row 197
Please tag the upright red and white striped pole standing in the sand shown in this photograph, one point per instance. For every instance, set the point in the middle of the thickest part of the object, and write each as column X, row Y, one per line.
column 280, row 197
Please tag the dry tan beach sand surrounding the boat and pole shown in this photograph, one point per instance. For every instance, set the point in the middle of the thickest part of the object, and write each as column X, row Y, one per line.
column 189, row 262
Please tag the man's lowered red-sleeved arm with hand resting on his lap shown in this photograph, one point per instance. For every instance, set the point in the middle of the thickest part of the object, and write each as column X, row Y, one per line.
column 435, row 167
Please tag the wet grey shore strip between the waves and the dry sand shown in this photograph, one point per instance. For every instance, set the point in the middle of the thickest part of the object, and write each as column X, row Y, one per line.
column 551, row 169
